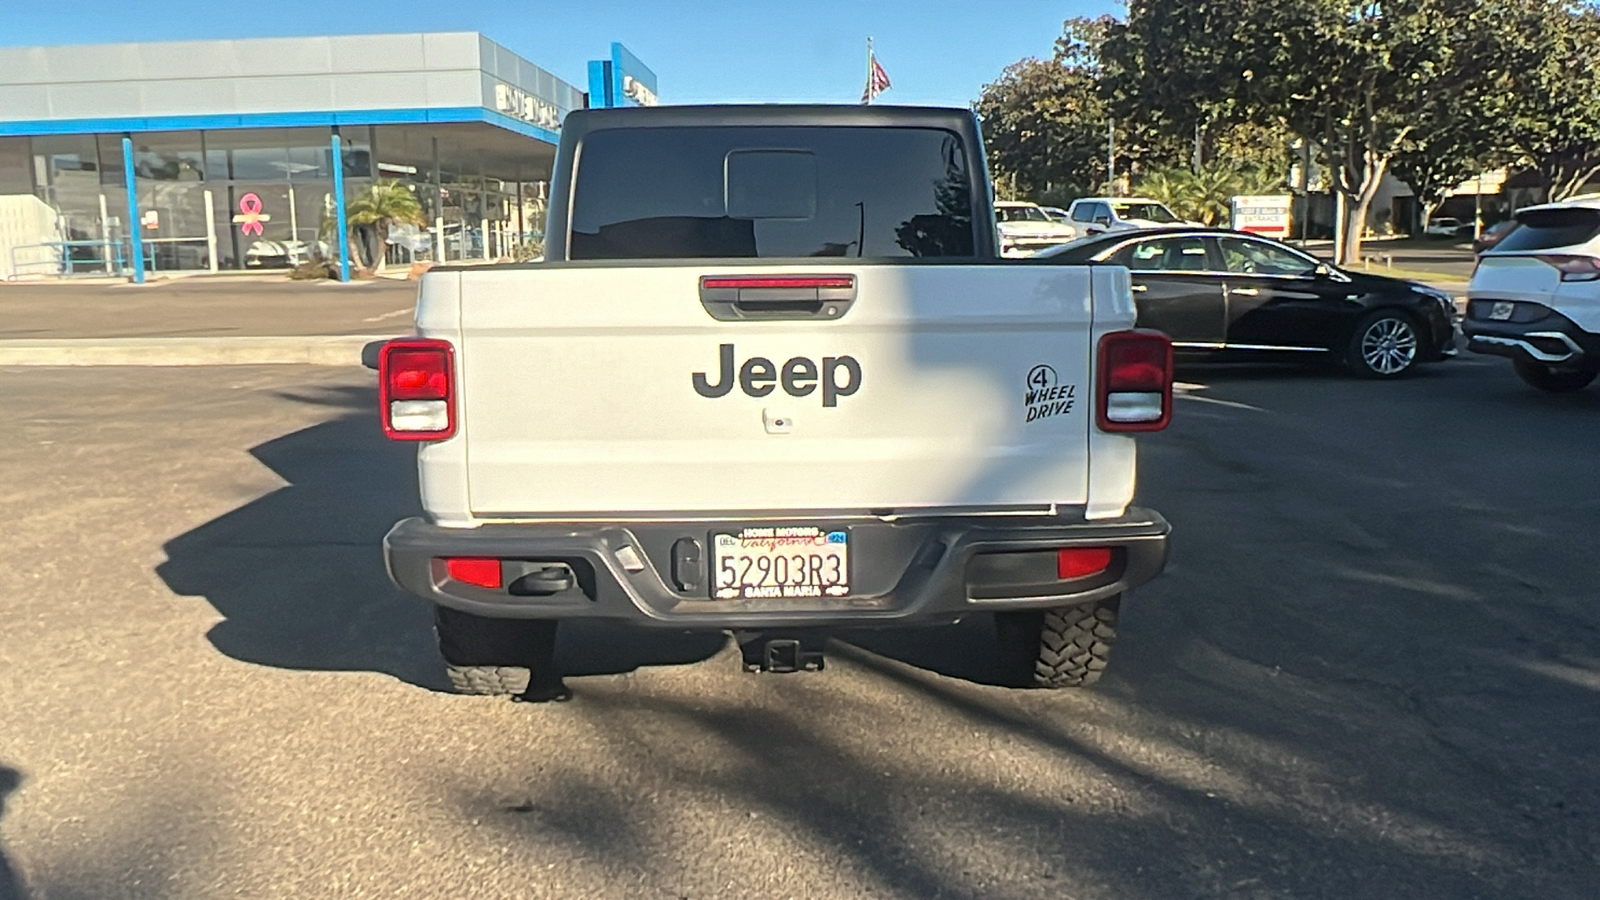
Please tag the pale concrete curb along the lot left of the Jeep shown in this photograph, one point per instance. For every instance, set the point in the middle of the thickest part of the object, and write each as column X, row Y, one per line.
column 298, row 350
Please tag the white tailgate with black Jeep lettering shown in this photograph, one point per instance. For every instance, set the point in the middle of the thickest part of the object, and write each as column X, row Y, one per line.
column 594, row 390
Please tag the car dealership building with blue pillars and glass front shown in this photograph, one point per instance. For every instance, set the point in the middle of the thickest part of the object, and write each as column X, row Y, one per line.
column 223, row 155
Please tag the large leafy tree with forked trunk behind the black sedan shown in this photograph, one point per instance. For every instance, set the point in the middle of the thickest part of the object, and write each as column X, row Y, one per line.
column 1358, row 79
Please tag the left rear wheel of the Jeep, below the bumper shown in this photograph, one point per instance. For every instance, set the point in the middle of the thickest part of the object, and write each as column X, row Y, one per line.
column 492, row 657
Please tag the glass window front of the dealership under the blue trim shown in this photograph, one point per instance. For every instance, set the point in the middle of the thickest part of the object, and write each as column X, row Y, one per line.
column 263, row 198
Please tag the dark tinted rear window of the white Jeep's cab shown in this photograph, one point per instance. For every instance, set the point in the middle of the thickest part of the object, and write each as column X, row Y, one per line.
column 772, row 193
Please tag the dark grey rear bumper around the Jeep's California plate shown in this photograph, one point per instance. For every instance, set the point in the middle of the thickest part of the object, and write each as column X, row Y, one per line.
column 902, row 573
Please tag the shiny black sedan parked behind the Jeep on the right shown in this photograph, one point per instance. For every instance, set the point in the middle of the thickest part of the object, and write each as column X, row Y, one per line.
column 1234, row 294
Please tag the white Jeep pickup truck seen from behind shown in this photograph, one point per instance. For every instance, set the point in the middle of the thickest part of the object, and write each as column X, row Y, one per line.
column 774, row 379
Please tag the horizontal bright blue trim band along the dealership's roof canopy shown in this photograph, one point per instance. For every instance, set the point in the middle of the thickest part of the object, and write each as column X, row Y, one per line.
column 457, row 115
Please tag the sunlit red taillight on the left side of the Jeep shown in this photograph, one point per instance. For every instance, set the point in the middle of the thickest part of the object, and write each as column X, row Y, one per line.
column 417, row 390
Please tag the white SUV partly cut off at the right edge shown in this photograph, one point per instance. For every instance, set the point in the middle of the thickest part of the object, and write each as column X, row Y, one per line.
column 1535, row 297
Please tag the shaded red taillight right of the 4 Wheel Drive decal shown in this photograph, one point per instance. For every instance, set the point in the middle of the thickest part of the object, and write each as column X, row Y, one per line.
column 1135, row 387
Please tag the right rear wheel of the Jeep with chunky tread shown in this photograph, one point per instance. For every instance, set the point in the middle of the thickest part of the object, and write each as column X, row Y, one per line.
column 1057, row 648
